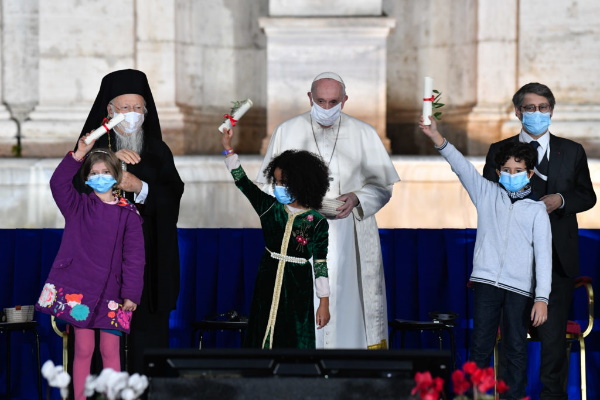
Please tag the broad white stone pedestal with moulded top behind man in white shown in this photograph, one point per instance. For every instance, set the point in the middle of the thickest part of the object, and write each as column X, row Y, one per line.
column 310, row 37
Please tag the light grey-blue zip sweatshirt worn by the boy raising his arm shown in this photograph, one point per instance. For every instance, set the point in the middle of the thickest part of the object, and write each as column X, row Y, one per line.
column 513, row 248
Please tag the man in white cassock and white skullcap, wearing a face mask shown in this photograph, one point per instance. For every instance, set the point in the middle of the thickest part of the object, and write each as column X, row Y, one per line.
column 362, row 179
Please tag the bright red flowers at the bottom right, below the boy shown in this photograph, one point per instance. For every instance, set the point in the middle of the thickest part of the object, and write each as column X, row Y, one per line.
column 479, row 380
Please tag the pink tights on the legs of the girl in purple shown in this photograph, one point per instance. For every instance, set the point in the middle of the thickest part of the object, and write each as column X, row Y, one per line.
column 84, row 349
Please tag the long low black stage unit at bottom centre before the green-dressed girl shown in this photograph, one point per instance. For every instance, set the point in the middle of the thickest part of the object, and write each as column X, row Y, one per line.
column 289, row 374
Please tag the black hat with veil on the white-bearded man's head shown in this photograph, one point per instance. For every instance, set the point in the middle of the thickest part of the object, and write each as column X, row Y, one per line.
column 126, row 81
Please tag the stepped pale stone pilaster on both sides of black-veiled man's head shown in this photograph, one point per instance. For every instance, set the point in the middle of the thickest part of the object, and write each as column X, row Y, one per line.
column 79, row 43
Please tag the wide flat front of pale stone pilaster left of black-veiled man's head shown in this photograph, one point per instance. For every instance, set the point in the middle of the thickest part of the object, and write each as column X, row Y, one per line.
column 79, row 43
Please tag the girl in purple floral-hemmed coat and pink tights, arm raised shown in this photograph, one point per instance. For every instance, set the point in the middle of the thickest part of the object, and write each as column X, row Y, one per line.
column 97, row 277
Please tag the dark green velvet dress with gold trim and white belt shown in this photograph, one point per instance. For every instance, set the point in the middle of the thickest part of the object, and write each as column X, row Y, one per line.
column 282, row 312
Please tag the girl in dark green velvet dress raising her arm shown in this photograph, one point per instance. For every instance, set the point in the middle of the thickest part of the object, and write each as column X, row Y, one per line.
column 282, row 311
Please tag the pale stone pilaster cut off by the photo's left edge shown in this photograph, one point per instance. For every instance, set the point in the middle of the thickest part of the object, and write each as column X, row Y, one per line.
column 18, row 76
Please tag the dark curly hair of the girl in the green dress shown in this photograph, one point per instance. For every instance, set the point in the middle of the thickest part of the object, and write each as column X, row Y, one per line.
column 305, row 175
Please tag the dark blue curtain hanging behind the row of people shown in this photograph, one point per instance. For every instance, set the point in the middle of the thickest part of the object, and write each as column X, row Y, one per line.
column 426, row 270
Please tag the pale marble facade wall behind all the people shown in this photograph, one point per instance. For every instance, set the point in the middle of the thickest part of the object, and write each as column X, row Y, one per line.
column 201, row 54
